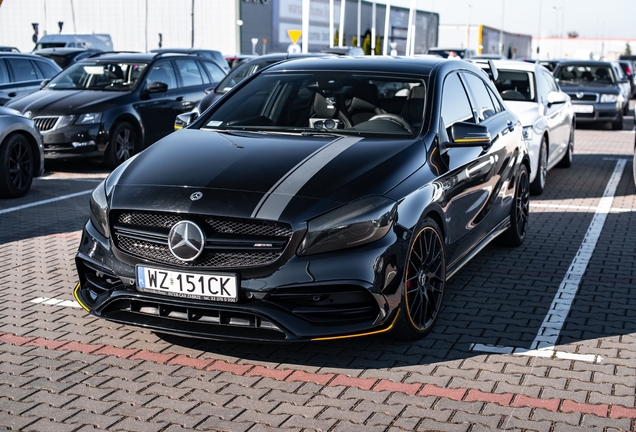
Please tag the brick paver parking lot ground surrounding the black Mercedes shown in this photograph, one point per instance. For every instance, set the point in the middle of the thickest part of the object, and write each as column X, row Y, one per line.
column 61, row 369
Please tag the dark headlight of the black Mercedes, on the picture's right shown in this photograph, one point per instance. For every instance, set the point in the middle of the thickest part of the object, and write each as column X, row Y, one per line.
column 355, row 224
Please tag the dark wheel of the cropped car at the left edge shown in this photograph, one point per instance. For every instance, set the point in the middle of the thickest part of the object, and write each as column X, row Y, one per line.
column 17, row 166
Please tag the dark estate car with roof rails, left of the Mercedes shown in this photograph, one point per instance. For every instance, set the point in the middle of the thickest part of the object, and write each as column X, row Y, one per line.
column 113, row 105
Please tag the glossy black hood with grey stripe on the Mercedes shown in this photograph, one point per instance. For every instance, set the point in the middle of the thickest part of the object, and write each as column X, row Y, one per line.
column 268, row 176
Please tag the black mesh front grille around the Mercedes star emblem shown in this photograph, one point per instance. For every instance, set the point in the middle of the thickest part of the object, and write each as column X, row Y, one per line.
column 231, row 242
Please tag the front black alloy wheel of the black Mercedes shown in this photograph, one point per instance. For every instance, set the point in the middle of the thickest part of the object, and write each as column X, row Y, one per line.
column 424, row 281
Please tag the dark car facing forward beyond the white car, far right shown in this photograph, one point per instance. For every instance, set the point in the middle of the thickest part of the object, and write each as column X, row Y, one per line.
column 595, row 90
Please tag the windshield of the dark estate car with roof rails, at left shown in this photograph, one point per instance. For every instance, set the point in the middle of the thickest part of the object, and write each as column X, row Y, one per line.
column 98, row 76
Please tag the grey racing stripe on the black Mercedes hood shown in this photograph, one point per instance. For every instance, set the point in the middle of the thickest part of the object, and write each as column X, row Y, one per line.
column 276, row 199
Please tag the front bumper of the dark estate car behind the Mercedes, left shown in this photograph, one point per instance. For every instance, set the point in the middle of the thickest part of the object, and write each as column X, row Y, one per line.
column 75, row 142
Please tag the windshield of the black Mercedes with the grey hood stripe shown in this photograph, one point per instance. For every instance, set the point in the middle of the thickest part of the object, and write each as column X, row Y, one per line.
column 323, row 101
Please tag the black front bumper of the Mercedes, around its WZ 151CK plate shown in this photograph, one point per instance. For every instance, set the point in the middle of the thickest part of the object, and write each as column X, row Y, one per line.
column 333, row 295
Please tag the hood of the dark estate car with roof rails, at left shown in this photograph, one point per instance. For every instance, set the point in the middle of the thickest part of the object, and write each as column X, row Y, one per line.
column 61, row 102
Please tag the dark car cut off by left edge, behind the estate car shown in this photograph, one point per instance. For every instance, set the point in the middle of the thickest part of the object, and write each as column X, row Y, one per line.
column 21, row 74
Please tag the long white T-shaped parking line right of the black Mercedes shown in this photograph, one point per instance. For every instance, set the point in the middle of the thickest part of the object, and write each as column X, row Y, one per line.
column 544, row 342
